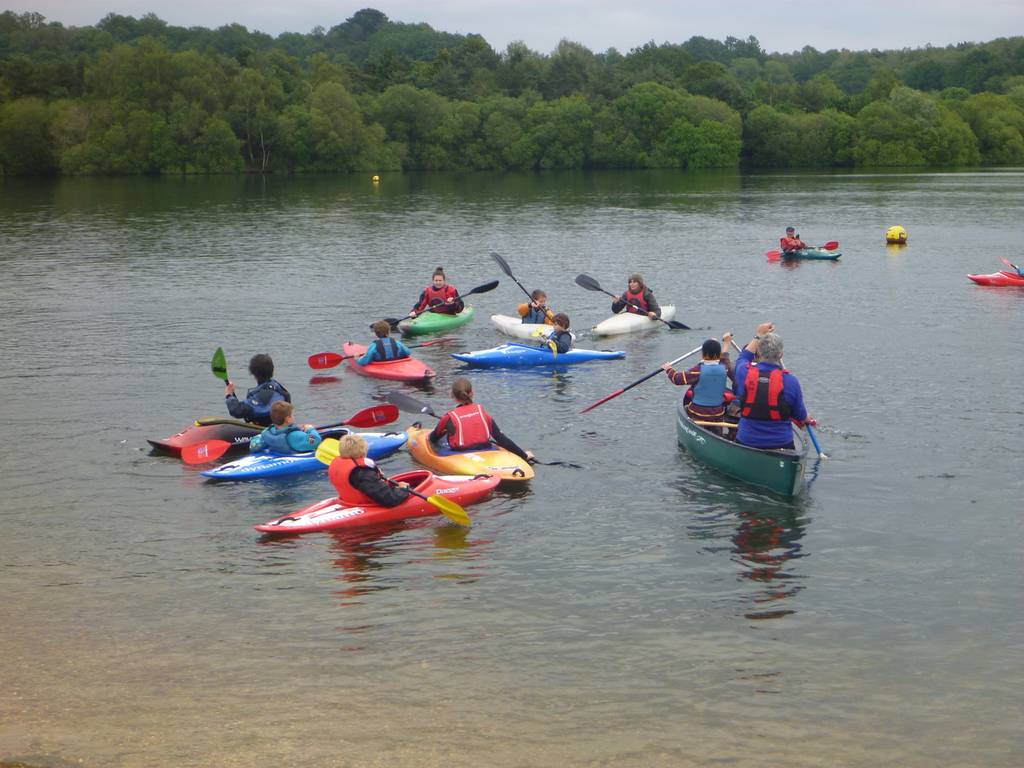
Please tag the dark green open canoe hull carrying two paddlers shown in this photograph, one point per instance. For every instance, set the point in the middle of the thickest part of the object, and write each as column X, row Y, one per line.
column 779, row 471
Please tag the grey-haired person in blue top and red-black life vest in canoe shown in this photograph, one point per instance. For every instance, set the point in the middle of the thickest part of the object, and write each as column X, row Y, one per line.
column 770, row 396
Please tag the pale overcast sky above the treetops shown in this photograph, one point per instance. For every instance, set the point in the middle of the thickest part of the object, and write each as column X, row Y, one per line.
column 779, row 25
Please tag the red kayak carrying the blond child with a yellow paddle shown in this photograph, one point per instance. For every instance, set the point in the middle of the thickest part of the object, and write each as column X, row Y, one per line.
column 331, row 514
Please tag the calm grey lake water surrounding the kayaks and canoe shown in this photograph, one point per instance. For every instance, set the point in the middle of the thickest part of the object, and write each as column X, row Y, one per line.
column 643, row 612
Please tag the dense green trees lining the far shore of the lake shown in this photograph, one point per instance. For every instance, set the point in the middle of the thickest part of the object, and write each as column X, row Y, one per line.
column 133, row 97
